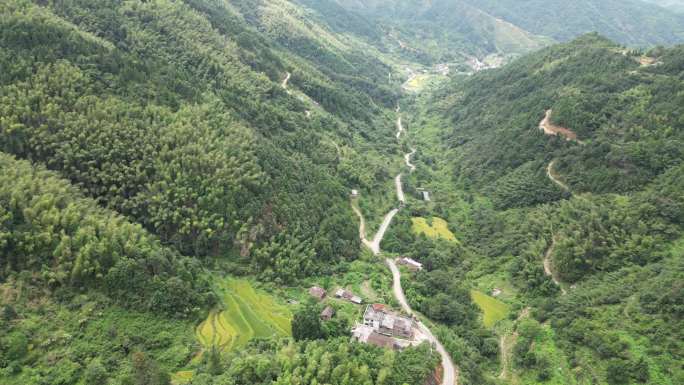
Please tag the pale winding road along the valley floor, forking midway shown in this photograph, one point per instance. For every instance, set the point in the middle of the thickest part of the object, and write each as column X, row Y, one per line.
column 450, row 371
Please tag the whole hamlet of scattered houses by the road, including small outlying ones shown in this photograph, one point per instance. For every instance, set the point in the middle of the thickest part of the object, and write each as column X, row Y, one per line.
column 380, row 325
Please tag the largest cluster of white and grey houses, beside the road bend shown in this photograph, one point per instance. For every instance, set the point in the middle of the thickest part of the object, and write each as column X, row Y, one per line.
column 384, row 328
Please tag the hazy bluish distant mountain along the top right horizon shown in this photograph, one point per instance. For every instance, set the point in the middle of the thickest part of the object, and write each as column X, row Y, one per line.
column 445, row 30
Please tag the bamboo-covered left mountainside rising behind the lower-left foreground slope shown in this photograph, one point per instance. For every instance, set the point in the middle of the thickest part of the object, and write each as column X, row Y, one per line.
column 188, row 130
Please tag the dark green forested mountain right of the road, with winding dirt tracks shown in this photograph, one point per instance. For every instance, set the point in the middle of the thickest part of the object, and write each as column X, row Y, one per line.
column 597, row 208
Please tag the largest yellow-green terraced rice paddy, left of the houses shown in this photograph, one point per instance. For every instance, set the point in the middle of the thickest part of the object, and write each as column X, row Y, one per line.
column 246, row 314
